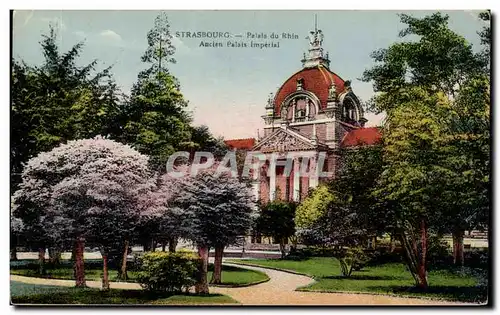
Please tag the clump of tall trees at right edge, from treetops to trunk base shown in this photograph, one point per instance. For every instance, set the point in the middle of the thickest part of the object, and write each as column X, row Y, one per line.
column 434, row 91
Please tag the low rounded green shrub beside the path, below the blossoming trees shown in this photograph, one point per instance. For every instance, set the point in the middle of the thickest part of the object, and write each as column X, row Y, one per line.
column 162, row 272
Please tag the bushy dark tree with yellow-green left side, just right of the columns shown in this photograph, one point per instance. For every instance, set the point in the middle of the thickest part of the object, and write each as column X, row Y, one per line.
column 343, row 215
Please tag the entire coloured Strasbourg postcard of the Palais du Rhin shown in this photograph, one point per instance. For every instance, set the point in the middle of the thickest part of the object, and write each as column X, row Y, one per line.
column 249, row 158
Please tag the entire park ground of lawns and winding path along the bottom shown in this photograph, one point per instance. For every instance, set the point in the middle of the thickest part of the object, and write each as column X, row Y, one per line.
column 314, row 281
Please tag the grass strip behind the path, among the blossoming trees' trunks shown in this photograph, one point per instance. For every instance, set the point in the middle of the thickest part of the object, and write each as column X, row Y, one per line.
column 231, row 276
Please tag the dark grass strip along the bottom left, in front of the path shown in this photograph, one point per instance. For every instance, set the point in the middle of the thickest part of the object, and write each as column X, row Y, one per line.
column 22, row 293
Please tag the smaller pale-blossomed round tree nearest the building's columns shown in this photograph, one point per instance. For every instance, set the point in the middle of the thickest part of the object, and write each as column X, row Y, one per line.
column 218, row 209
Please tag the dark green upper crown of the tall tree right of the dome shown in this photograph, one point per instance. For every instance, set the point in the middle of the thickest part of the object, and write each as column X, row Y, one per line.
column 406, row 64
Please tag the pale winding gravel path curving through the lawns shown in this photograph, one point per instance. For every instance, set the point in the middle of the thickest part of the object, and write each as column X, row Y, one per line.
column 279, row 290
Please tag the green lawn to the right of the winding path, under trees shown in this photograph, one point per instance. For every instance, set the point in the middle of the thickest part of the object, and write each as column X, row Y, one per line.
column 391, row 278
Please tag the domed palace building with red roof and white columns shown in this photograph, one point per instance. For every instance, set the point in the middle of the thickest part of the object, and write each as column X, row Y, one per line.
column 312, row 116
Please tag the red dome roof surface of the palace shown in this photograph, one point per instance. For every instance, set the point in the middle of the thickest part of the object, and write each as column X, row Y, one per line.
column 316, row 80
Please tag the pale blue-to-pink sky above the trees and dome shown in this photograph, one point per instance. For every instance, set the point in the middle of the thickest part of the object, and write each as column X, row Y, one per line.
column 227, row 88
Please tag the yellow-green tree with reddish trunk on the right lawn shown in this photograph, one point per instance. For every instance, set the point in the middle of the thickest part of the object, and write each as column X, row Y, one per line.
column 413, row 173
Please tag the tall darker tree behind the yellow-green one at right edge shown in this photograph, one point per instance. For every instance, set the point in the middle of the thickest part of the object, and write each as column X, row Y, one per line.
column 440, row 63
